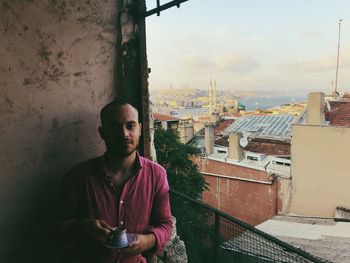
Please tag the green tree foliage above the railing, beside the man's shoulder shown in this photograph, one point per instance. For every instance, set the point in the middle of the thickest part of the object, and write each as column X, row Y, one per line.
column 183, row 174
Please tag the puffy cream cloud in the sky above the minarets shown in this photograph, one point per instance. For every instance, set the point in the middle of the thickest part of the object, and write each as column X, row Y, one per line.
column 228, row 62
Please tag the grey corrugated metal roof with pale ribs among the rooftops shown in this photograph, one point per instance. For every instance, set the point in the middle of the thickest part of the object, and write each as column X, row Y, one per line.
column 263, row 126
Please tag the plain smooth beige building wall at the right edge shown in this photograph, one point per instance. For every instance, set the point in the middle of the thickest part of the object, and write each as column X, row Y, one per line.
column 320, row 179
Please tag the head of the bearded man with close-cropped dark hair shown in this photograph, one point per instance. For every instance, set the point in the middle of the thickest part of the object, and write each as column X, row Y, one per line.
column 121, row 130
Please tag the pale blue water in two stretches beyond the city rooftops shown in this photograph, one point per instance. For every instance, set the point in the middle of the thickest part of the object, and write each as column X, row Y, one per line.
column 251, row 103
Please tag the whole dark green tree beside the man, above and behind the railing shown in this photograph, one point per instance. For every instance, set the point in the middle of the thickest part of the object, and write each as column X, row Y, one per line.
column 183, row 175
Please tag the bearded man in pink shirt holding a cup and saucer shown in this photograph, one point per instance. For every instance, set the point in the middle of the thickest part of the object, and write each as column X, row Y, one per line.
column 118, row 188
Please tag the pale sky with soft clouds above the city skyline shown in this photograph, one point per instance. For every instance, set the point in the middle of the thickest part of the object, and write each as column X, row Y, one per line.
column 263, row 45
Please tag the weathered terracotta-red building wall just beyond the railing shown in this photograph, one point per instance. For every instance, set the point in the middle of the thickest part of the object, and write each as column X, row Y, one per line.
column 251, row 202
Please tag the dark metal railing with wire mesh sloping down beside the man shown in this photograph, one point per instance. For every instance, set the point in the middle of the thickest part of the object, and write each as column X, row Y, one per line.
column 213, row 236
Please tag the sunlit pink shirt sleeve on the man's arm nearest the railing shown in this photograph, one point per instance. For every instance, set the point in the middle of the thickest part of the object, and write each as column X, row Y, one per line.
column 161, row 219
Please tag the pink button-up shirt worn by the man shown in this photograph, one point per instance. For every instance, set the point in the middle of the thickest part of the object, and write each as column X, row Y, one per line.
column 142, row 206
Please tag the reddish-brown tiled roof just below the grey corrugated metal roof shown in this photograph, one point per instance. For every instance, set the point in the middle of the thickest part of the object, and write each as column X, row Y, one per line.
column 264, row 146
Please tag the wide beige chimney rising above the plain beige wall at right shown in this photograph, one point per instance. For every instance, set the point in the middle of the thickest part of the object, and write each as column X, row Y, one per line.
column 315, row 108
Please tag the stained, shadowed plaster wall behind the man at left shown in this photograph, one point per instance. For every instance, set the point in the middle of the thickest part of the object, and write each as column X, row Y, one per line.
column 56, row 71
